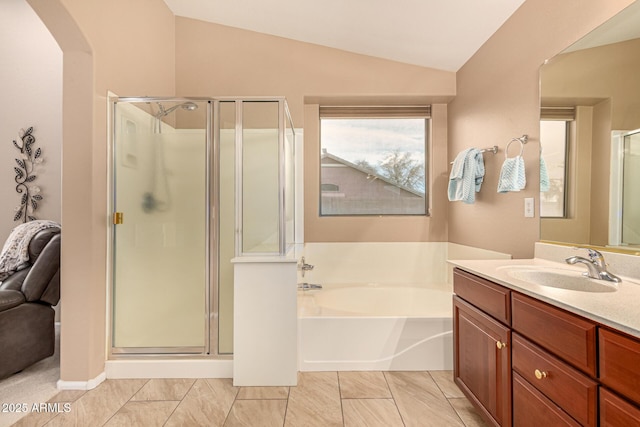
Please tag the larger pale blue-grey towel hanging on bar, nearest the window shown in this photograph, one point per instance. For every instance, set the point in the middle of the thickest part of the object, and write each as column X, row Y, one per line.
column 467, row 174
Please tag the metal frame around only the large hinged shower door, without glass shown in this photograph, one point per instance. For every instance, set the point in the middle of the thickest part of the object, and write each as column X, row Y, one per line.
column 210, row 317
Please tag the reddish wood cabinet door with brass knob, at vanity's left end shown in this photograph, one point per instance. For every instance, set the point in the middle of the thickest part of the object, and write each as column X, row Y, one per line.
column 482, row 364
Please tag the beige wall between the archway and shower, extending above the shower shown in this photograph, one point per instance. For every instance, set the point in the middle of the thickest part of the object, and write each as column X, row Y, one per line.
column 120, row 46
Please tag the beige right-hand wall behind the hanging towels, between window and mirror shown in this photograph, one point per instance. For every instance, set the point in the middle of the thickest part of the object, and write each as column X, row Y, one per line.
column 498, row 99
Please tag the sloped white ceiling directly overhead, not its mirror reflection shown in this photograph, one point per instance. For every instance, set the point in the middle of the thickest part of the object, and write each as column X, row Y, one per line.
column 441, row 34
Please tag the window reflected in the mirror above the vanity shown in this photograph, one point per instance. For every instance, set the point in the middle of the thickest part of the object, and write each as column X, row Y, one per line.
column 554, row 140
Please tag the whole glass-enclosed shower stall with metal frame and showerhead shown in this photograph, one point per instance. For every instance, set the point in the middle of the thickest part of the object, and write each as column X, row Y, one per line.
column 196, row 183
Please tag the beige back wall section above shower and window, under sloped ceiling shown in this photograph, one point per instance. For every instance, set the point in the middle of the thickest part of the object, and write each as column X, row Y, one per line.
column 215, row 60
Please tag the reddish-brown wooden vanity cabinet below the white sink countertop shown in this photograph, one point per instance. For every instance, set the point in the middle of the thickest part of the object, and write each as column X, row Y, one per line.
column 559, row 369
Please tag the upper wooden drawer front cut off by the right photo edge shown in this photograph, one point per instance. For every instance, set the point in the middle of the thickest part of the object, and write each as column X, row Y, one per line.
column 619, row 363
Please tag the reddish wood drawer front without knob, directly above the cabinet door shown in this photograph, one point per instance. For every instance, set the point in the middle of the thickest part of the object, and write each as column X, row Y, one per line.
column 489, row 297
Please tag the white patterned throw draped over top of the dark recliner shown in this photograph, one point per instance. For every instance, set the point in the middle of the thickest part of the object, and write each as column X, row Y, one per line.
column 15, row 252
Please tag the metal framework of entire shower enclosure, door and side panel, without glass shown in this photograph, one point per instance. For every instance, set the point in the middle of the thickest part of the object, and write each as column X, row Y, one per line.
column 212, row 202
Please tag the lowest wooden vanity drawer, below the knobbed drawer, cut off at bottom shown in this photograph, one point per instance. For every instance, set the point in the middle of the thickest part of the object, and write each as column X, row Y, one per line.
column 532, row 408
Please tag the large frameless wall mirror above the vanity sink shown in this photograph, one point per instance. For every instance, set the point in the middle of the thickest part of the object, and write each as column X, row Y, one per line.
column 594, row 87
